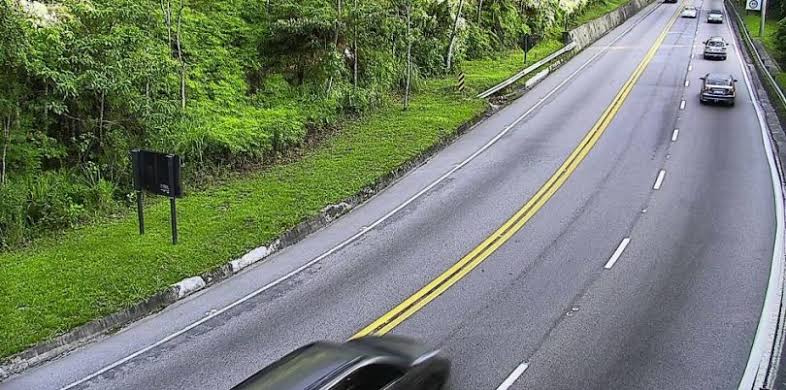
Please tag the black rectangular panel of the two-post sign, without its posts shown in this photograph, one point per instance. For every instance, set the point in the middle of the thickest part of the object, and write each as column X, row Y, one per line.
column 152, row 172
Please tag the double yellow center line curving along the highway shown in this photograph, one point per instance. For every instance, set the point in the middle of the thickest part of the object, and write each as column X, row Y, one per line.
column 466, row 264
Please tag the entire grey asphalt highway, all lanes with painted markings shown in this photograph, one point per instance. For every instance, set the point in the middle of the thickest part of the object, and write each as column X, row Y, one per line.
column 603, row 231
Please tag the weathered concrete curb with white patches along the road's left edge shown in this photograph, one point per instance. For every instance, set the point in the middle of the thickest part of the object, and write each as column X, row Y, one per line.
column 96, row 329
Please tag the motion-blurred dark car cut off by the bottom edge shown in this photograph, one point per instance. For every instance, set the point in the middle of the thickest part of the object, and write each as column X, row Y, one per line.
column 368, row 363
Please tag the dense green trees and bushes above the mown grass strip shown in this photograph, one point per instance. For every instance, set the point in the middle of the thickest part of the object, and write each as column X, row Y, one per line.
column 226, row 84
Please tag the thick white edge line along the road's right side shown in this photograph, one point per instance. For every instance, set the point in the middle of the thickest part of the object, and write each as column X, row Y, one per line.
column 765, row 332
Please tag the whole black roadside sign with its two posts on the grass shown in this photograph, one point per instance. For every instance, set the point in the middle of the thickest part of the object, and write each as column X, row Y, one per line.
column 159, row 174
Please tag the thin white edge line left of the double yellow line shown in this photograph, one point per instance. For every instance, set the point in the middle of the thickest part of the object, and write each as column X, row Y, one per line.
column 367, row 229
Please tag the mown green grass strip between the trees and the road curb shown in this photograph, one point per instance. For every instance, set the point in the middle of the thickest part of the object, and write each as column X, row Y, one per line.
column 60, row 283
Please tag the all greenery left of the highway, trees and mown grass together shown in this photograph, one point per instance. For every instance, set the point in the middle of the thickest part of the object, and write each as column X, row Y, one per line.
column 260, row 79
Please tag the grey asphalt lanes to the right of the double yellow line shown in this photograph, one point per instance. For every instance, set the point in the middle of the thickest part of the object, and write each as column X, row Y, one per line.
column 680, row 307
